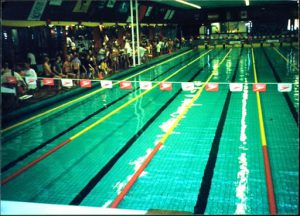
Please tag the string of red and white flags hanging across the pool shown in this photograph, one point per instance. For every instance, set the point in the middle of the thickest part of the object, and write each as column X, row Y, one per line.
column 163, row 86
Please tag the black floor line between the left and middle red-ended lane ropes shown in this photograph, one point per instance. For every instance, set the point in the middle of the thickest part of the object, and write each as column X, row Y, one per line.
column 94, row 181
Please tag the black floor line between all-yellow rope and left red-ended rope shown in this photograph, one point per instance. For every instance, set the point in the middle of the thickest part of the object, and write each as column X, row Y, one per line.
column 24, row 156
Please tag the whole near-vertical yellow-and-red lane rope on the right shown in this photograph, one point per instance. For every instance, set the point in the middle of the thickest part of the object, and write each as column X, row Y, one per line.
column 268, row 174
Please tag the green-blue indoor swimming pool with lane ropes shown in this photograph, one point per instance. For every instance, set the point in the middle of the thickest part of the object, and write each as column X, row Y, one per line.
column 94, row 163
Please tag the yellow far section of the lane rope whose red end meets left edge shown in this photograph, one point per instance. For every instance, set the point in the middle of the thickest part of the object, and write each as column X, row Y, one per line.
column 133, row 99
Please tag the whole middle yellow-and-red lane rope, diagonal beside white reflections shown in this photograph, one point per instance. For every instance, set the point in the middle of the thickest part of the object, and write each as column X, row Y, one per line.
column 133, row 179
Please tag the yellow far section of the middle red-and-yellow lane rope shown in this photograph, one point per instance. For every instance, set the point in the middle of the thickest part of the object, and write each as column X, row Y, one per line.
column 167, row 134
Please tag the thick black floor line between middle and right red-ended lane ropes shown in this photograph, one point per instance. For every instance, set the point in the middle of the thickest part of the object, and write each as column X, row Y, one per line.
column 201, row 203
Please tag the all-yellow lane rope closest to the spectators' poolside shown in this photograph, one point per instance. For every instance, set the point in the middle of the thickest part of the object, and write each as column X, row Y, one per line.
column 85, row 96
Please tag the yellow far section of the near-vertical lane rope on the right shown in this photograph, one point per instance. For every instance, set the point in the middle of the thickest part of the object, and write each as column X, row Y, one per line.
column 260, row 116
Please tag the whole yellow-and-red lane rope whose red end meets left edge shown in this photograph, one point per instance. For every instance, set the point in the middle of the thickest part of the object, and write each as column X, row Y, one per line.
column 7, row 179
